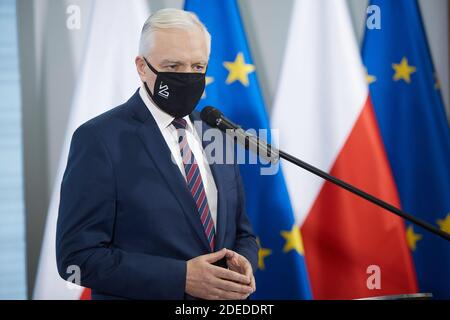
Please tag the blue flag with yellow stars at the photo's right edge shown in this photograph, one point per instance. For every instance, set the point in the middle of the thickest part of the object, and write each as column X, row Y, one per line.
column 410, row 112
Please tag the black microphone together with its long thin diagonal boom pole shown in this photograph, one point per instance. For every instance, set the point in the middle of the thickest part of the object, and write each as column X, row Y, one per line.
column 216, row 119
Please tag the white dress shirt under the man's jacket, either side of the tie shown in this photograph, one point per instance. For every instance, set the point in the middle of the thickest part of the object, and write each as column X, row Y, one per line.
column 168, row 131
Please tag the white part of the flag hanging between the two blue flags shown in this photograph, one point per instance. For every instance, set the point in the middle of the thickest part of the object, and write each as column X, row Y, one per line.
column 321, row 93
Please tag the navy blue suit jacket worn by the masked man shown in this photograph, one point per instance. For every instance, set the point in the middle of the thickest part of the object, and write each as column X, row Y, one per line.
column 126, row 215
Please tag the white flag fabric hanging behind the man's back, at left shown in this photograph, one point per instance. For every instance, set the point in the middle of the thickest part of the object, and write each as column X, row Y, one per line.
column 107, row 78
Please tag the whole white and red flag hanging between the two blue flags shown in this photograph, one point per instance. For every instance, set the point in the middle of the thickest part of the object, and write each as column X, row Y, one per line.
column 325, row 117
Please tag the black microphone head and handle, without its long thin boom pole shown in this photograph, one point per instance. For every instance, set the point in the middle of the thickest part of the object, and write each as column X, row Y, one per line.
column 216, row 119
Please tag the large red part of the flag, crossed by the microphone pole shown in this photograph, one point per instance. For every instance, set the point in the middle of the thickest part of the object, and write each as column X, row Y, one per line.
column 343, row 235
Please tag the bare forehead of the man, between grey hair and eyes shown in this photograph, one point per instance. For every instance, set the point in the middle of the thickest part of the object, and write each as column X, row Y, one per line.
column 179, row 44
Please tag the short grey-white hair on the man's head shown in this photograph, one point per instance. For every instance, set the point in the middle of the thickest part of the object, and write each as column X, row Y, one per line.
column 170, row 18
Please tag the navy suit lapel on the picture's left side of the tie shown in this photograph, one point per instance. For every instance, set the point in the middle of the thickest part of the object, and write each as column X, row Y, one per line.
column 159, row 152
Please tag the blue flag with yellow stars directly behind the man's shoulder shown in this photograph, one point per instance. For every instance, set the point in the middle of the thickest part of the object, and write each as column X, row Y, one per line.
column 233, row 87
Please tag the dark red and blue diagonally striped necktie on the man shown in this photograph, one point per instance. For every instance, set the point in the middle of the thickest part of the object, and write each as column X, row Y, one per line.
column 194, row 181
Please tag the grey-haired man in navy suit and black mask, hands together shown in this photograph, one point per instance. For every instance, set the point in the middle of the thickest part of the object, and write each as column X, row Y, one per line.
column 143, row 213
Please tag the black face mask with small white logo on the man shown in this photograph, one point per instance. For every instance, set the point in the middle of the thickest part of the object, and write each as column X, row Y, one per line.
column 176, row 93
